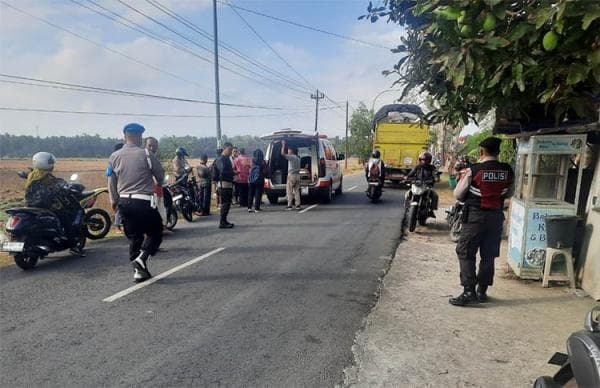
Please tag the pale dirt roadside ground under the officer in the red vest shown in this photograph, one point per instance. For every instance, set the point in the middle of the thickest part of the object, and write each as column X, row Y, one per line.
column 415, row 338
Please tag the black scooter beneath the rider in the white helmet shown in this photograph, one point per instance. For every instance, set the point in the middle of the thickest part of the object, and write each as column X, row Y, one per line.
column 34, row 232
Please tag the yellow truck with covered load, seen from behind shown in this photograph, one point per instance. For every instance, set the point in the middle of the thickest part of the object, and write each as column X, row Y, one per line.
column 400, row 136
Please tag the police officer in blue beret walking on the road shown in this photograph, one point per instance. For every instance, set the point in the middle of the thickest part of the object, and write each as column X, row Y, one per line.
column 131, row 186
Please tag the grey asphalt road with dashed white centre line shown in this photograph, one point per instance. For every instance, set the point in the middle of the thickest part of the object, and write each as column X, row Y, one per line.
column 278, row 306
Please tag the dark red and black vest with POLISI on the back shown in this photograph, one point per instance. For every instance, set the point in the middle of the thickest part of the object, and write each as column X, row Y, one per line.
column 490, row 182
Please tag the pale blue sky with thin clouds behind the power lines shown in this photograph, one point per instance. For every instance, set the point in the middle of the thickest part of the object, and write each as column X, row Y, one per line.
column 342, row 69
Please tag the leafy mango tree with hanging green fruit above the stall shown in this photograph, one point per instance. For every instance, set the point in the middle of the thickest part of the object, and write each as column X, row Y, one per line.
column 529, row 59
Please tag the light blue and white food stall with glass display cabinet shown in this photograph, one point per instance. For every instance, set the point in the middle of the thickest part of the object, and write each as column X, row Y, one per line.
column 543, row 163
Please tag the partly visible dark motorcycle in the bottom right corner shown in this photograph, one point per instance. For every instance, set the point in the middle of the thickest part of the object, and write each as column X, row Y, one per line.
column 581, row 366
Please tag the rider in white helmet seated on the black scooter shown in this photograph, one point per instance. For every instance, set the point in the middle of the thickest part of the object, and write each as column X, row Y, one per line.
column 44, row 190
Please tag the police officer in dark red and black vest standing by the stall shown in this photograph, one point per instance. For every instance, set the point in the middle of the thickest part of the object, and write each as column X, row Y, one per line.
column 483, row 189
